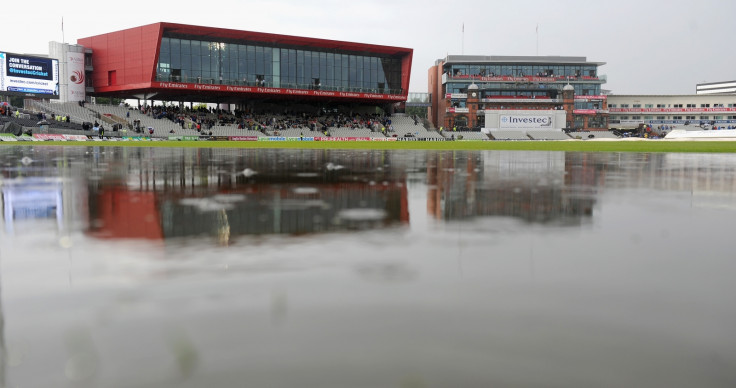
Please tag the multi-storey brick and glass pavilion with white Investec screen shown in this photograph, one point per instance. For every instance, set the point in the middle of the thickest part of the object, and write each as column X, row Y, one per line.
column 517, row 92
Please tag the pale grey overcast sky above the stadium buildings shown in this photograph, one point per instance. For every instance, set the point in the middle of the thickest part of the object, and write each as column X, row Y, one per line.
column 649, row 47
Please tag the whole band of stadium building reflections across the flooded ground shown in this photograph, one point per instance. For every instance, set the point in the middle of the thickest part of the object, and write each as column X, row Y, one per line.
column 171, row 193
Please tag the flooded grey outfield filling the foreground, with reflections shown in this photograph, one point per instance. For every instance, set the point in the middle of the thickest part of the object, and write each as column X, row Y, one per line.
column 143, row 267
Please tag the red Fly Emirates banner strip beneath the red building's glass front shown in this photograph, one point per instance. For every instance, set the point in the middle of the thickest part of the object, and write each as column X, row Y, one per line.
column 279, row 91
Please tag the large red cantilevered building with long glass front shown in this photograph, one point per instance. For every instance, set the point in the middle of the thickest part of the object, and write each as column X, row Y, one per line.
column 176, row 62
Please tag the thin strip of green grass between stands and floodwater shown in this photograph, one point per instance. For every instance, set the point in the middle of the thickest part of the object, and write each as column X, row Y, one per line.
column 574, row 146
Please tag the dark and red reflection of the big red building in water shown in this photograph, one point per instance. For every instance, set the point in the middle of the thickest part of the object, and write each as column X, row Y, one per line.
column 227, row 193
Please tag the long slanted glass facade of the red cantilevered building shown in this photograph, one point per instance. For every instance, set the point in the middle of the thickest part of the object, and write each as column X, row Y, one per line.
column 210, row 62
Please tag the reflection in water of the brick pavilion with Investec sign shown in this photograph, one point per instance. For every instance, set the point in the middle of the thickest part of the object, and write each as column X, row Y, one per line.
column 532, row 186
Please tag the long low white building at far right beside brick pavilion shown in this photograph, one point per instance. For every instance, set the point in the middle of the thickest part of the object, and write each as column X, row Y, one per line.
column 628, row 111
